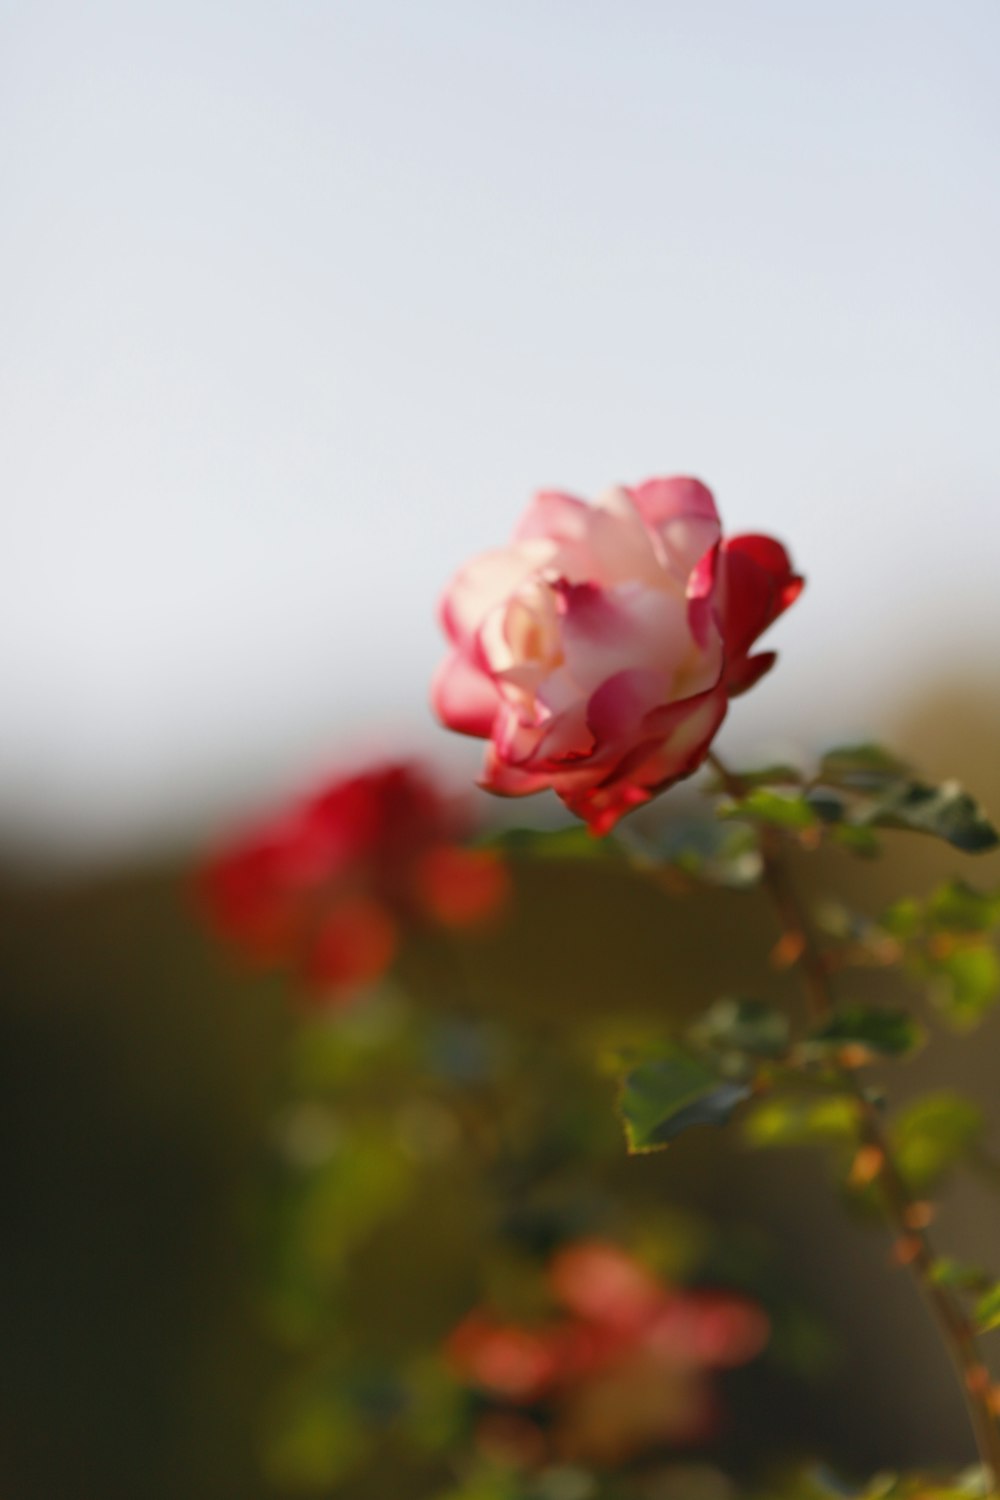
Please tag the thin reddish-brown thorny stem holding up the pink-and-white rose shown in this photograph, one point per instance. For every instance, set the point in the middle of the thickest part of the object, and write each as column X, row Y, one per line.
column 908, row 1217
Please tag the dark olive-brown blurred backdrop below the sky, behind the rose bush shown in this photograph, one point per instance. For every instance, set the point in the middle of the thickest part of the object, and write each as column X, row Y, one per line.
column 139, row 1070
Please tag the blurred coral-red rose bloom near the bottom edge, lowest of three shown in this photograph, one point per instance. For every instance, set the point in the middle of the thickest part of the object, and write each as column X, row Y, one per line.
column 627, row 1367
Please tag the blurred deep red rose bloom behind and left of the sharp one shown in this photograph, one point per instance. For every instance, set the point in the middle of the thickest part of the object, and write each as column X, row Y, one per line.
column 326, row 886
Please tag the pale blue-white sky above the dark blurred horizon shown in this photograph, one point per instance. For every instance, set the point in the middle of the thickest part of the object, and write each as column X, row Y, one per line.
column 301, row 302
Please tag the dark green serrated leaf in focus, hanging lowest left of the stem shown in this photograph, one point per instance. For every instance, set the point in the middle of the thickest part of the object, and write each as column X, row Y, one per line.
column 672, row 1093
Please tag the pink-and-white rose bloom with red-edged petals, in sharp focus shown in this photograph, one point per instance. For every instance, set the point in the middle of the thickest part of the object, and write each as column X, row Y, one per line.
column 599, row 652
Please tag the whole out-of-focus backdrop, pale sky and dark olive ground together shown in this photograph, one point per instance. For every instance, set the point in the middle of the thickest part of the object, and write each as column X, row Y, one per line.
column 299, row 307
